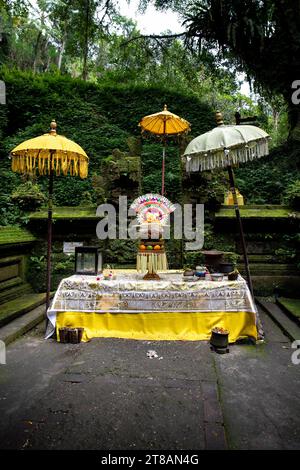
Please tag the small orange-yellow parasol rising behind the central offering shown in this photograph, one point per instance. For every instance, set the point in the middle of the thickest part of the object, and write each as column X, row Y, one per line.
column 164, row 124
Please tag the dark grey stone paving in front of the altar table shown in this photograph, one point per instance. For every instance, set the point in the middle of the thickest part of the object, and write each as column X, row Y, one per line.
column 107, row 394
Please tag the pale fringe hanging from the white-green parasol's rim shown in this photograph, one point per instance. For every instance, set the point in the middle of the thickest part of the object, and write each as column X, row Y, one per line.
column 209, row 161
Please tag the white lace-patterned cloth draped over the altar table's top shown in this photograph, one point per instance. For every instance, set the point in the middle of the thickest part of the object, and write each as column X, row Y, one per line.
column 129, row 293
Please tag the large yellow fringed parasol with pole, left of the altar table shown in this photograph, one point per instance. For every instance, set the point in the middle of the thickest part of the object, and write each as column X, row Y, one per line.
column 48, row 154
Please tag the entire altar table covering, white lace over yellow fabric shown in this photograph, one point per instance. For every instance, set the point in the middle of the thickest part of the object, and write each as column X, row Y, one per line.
column 171, row 308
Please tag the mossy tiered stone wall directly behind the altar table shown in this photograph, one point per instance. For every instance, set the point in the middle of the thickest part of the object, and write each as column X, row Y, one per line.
column 272, row 247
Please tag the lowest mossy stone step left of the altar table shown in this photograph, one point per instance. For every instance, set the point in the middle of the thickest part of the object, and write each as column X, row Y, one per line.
column 18, row 307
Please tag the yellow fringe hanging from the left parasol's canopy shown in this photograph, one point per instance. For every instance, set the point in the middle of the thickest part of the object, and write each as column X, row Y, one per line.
column 61, row 163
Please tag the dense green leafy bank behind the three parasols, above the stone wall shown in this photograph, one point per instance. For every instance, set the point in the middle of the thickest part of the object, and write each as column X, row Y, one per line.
column 102, row 118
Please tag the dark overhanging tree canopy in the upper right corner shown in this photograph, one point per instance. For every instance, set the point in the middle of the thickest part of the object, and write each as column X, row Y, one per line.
column 261, row 36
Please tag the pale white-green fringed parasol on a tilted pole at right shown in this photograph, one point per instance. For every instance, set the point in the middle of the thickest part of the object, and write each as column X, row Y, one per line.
column 223, row 147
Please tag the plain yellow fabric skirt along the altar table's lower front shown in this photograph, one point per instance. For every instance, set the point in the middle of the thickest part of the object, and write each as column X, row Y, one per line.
column 189, row 326
